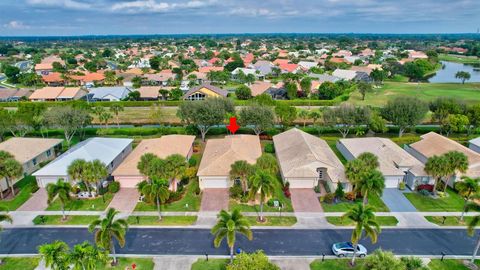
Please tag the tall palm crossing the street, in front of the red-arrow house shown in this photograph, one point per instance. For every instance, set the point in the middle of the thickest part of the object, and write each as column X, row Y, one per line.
column 228, row 225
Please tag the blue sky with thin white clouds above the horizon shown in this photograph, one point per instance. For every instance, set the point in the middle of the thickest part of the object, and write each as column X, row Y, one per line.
column 85, row 17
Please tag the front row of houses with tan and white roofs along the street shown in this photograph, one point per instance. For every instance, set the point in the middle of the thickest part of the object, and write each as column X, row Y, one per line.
column 305, row 160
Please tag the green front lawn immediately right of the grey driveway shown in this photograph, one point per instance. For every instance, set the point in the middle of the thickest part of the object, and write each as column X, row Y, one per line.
column 451, row 203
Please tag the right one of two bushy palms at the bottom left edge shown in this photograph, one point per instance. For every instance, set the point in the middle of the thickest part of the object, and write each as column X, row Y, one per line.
column 85, row 256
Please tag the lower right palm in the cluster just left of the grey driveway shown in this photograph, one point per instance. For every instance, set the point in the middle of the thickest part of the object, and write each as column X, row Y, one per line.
column 371, row 182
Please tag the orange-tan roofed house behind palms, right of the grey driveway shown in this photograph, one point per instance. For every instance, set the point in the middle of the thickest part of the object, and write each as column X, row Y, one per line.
column 433, row 144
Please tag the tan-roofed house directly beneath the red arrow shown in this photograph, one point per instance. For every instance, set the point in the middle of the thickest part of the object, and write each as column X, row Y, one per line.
column 220, row 154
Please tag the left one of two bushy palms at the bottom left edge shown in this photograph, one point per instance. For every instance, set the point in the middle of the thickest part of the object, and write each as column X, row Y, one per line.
column 55, row 255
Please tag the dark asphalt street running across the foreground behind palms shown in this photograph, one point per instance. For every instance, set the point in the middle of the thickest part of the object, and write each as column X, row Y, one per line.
column 274, row 242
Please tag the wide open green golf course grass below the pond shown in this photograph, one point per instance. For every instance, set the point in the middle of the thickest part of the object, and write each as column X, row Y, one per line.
column 468, row 92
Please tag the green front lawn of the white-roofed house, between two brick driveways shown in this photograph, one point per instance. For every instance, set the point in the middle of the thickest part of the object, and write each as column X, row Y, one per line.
column 97, row 204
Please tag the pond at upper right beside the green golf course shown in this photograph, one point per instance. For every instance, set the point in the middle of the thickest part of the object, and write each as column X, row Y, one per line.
column 449, row 69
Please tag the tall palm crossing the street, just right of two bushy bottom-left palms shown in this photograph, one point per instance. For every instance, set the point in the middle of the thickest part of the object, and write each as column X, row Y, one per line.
column 108, row 229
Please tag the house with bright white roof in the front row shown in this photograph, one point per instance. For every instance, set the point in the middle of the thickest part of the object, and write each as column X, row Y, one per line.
column 110, row 151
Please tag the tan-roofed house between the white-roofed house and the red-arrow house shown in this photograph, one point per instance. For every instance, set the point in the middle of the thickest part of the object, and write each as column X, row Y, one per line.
column 127, row 173
